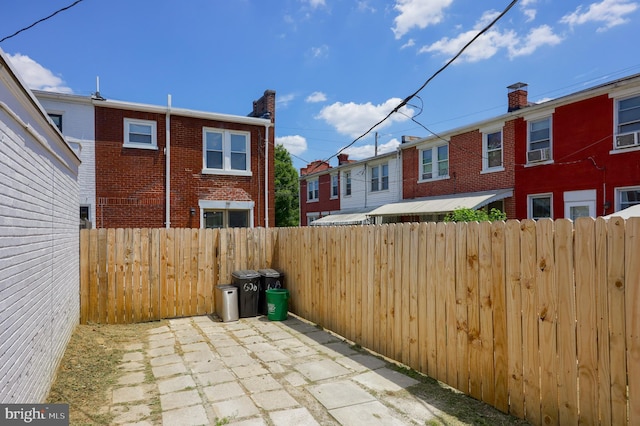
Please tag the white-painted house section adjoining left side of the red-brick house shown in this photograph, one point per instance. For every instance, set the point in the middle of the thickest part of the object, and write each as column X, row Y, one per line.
column 78, row 127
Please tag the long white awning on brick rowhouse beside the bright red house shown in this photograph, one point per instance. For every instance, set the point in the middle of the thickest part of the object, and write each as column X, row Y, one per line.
column 442, row 203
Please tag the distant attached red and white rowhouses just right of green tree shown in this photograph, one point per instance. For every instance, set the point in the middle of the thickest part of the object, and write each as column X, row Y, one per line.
column 344, row 195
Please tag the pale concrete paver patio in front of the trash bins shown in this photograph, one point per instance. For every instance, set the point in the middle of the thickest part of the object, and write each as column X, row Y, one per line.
column 257, row 372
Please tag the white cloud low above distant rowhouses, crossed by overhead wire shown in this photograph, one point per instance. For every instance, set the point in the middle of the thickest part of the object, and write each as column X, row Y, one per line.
column 354, row 119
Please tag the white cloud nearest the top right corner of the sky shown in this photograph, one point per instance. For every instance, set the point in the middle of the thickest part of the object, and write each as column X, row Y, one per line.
column 608, row 12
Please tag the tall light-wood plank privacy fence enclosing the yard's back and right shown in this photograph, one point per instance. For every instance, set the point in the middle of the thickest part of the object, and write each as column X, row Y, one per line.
column 539, row 319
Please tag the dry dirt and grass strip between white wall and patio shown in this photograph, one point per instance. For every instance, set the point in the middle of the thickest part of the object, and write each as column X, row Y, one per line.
column 89, row 369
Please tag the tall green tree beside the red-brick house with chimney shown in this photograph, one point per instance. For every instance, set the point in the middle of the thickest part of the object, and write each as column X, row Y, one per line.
column 286, row 186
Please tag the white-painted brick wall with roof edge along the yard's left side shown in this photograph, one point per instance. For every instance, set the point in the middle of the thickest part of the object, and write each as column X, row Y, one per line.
column 39, row 239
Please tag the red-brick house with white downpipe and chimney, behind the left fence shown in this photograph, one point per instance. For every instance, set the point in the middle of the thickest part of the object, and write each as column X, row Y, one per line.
column 158, row 166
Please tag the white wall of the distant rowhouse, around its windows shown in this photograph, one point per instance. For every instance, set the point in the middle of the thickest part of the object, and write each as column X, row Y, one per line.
column 361, row 195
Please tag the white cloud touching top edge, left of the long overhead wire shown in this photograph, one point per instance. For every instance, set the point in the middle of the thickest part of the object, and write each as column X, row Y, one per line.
column 418, row 13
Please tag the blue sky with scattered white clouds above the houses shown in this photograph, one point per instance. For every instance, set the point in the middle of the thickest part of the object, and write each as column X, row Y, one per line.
column 337, row 66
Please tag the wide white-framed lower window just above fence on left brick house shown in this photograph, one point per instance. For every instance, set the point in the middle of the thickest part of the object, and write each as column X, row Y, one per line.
column 226, row 214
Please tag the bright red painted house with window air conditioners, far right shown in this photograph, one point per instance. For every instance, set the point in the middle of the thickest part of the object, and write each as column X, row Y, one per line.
column 579, row 155
